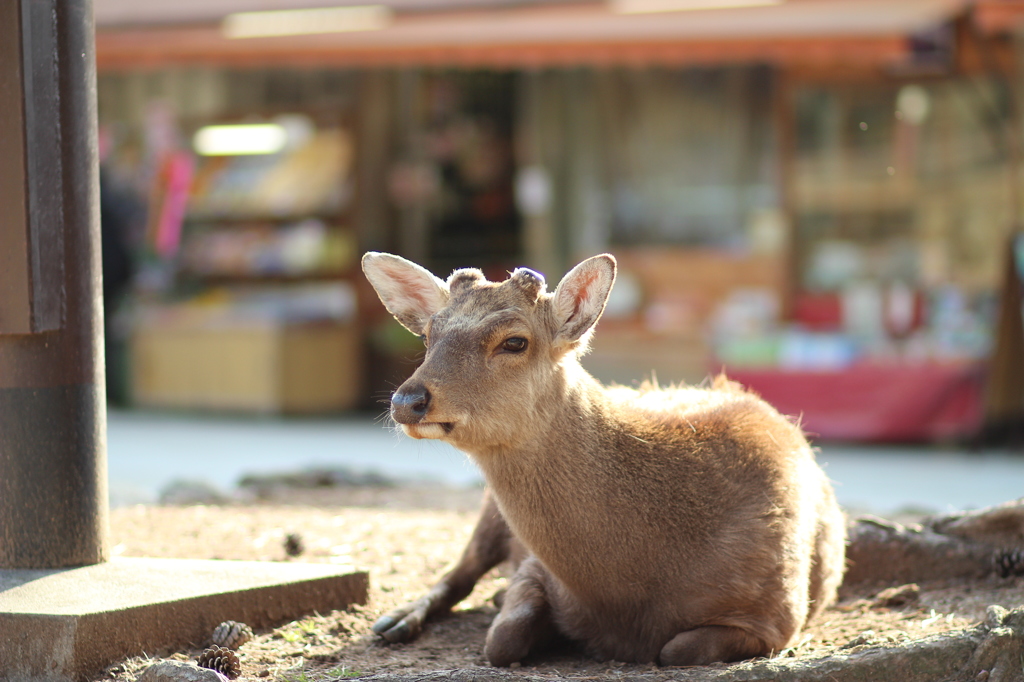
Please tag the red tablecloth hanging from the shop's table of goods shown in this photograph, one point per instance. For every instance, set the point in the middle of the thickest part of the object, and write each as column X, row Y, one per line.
column 876, row 403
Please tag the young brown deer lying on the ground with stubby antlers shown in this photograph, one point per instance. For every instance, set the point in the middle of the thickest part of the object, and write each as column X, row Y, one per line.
column 678, row 526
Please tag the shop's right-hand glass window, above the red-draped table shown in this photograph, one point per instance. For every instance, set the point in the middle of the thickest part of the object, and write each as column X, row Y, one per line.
column 903, row 197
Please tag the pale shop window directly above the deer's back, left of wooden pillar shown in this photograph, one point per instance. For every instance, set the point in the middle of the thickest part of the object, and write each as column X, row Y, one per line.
column 691, row 155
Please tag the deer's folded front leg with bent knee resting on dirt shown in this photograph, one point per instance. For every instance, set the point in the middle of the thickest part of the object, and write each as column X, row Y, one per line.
column 525, row 622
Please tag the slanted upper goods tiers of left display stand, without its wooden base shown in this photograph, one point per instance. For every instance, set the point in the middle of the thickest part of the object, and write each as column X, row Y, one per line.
column 275, row 219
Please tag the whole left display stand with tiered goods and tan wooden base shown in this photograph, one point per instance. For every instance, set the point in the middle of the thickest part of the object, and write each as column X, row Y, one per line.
column 265, row 319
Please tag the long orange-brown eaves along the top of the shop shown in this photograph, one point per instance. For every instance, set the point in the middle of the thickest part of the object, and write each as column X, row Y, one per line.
column 535, row 34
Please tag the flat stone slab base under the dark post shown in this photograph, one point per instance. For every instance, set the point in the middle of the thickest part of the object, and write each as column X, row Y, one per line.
column 66, row 625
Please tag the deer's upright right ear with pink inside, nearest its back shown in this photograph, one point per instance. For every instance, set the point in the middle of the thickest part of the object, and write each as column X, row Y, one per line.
column 580, row 299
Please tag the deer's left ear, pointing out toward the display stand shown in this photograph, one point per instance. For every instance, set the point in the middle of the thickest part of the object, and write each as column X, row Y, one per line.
column 410, row 292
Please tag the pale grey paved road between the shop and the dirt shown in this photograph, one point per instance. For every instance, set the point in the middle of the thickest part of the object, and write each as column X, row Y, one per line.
column 149, row 451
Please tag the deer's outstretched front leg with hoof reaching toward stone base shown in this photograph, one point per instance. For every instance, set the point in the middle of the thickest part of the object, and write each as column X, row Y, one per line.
column 492, row 543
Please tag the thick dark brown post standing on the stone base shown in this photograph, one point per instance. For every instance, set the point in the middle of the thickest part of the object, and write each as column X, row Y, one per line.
column 54, row 498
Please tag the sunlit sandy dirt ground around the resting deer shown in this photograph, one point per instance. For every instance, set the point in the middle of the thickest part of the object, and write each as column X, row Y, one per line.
column 406, row 537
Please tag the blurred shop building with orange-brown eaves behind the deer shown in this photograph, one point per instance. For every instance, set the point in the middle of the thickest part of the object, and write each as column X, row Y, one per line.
column 819, row 196
